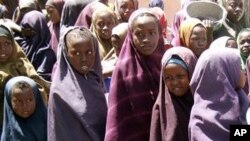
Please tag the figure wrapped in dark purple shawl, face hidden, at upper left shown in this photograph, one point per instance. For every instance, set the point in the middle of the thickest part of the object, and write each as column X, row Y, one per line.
column 36, row 45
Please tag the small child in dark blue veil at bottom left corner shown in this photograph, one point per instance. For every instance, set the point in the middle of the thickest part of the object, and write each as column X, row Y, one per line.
column 25, row 115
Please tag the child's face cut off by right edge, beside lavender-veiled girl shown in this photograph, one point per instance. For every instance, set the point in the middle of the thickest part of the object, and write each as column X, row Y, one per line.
column 244, row 43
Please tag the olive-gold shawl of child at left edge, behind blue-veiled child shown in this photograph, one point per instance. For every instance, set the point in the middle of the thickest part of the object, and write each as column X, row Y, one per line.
column 19, row 65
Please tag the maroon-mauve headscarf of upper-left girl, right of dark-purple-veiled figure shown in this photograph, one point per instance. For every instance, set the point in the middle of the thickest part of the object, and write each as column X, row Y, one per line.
column 55, row 28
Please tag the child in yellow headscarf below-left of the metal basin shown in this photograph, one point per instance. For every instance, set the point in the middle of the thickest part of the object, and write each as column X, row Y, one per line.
column 193, row 35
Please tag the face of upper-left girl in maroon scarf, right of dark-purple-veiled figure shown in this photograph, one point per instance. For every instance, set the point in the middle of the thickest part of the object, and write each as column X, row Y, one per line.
column 53, row 14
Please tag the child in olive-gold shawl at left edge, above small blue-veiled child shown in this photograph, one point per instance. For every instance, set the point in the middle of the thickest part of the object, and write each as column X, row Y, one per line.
column 15, row 63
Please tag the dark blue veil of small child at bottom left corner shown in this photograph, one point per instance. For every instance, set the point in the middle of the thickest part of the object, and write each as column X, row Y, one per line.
column 24, row 129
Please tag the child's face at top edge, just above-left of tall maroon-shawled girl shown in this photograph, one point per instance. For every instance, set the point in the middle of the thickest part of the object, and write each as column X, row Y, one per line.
column 126, row 9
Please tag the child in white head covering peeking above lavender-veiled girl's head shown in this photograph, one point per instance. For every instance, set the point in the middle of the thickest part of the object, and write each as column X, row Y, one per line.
column 224, row 41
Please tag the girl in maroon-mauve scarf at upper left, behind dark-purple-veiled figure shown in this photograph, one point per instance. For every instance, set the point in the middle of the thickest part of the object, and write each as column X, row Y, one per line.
column 54, row 10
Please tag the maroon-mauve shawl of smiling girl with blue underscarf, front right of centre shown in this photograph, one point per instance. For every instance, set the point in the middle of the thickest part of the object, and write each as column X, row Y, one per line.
column 170, row 116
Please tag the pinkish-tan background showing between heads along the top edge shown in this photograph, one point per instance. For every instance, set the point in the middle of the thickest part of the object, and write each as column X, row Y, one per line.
column 170, row 8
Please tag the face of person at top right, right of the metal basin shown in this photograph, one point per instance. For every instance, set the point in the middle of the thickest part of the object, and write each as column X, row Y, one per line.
column 234, row 9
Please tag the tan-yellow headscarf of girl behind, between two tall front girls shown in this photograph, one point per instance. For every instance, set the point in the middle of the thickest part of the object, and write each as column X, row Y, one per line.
column 104, row 45
